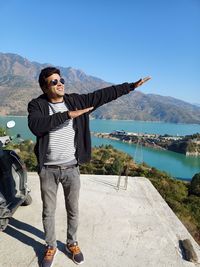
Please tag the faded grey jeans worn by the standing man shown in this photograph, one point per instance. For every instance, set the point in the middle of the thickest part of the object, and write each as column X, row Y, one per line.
column 70, row 180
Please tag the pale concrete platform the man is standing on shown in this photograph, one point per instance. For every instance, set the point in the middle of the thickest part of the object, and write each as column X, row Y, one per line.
column 118, row 228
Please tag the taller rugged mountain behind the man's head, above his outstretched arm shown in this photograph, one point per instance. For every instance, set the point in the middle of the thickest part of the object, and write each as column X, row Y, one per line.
column 19, row 82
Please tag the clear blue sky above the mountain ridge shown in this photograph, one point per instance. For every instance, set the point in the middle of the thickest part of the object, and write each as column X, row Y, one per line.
column 115, row 40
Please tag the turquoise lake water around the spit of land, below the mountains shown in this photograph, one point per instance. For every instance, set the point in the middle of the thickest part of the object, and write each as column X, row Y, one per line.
column 176, row 164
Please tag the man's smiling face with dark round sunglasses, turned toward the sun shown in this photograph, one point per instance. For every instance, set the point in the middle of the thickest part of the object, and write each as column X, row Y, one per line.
column 54, row 88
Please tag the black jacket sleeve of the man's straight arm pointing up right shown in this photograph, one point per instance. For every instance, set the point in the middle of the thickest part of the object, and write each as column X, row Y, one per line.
column 105, row 95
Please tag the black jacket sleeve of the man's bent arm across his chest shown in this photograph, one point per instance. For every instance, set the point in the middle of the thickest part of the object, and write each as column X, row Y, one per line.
column 41, row 124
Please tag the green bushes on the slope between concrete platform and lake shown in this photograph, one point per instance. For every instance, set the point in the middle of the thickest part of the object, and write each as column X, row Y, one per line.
column 182, row 197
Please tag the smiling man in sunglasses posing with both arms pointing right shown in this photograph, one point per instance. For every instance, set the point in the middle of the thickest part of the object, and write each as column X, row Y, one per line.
column 60, row 122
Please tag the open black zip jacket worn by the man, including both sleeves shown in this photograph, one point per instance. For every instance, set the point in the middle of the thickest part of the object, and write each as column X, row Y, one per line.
column 40, row 122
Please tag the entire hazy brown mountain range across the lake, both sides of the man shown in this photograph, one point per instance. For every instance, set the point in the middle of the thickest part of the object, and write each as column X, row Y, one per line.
column 18, row 85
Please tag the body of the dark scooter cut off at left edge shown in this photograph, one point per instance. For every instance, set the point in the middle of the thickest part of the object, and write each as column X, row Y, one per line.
column 13, row 186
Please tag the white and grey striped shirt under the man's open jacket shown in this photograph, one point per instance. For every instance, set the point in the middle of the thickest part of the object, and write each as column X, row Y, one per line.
column 61, row 148
